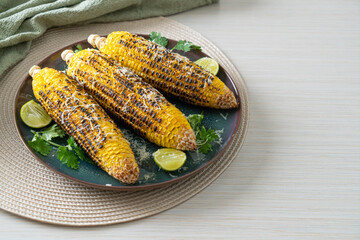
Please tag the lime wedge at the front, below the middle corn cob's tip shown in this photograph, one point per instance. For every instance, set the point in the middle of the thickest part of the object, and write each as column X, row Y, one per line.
column 169, row 159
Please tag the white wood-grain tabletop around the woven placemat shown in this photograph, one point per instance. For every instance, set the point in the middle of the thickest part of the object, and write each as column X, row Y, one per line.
column 298, row 173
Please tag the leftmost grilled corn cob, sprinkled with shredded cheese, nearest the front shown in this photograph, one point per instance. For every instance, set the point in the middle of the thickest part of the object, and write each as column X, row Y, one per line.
column 82, row 117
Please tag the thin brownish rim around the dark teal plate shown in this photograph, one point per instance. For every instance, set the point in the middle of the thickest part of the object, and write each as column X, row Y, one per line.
column 130, row 187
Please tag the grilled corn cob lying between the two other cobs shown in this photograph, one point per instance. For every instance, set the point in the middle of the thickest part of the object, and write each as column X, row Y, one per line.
column 133, row 101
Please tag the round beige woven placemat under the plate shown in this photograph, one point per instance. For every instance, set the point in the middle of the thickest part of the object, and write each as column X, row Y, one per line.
column 29, row 189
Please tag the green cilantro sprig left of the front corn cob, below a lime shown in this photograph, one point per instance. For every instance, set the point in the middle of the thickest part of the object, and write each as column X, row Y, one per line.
column 68, row 154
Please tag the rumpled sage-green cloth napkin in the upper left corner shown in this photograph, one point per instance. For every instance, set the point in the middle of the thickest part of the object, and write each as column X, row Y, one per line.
column 21, row 21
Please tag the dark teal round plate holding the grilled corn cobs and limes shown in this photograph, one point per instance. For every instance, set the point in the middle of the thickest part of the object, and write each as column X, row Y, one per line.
column 151, row 176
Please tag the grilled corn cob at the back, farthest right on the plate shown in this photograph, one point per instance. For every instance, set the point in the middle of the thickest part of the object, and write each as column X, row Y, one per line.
column 174, row 74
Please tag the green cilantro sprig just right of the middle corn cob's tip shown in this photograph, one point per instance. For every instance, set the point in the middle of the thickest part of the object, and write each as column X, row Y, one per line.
column 204, row 138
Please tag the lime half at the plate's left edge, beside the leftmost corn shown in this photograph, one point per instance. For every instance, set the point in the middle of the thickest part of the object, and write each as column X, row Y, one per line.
column 34, row 115
